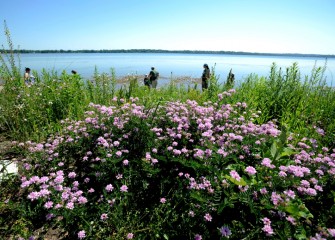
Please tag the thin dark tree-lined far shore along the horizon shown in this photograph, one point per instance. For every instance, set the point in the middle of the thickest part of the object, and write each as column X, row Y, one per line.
column 169, row 51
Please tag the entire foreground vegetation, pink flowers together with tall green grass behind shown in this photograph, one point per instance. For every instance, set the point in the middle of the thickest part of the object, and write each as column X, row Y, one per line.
column 172, row 163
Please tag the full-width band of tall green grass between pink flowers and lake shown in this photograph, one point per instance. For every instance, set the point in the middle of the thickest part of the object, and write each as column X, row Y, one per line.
column 283, row 95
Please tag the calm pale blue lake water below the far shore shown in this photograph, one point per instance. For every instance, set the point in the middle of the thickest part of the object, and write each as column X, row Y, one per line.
column 171, row 64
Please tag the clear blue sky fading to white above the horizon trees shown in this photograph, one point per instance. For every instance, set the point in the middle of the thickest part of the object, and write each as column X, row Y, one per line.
column 276, row 26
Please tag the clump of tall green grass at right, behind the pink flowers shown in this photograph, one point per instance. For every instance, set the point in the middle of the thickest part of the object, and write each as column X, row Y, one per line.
column 301, row 103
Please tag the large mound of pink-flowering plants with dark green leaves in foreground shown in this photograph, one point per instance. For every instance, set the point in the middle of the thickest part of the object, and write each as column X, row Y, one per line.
column 180, row 170
